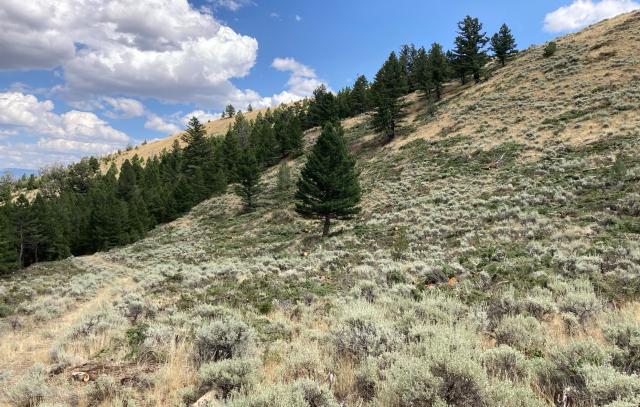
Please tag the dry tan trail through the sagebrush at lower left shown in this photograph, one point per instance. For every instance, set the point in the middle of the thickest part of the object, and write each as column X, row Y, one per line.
column 20, row 349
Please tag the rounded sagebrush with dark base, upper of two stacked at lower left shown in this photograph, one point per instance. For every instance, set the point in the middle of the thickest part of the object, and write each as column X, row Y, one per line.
column 223, row 339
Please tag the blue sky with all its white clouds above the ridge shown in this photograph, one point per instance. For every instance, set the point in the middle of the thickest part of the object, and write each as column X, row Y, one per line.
column 88, row 77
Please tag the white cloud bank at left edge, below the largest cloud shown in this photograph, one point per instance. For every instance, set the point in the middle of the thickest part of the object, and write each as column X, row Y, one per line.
column 72, row 134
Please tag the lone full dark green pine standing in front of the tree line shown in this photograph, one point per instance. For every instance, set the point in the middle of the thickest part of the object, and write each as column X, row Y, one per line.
column 328, row 187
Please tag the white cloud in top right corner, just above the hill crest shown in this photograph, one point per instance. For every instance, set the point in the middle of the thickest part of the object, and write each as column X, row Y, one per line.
column 582, row 13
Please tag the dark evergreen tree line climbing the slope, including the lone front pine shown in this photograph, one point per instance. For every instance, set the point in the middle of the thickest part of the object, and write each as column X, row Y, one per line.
column 82, row 209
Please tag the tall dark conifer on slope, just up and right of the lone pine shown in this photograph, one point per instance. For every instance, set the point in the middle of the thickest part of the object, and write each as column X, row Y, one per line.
column 389, row 85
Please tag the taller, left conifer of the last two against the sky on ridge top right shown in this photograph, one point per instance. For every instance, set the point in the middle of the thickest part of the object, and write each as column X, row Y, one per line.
column 470, row 44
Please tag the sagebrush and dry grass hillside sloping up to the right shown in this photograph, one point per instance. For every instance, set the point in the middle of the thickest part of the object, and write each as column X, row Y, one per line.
column 496, row 262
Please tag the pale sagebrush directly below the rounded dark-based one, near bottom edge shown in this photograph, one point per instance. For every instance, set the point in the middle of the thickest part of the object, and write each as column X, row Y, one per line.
column 227, row 375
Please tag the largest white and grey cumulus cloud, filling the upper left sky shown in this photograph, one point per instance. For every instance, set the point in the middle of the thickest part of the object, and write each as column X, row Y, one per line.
column 164, row 49
